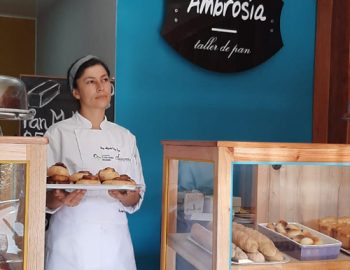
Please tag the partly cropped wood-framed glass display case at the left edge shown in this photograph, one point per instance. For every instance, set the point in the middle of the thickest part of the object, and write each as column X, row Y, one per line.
column 22, row 202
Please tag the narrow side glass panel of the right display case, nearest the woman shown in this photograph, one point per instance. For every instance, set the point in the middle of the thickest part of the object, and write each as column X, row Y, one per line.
column 190, row 214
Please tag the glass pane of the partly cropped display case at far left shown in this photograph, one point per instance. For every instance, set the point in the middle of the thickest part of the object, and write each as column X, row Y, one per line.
column 12, row 205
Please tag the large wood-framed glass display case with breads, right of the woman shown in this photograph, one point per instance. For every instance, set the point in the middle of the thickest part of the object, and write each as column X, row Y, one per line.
column 250, row 205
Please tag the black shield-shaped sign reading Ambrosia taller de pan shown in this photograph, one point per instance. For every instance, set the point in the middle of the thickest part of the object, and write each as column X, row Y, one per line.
column 224, row 35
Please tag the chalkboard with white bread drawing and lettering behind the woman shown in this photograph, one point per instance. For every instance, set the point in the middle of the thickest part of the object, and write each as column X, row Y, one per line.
column 52, row 102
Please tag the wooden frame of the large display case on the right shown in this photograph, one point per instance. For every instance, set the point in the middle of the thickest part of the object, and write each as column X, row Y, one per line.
column 222, row 154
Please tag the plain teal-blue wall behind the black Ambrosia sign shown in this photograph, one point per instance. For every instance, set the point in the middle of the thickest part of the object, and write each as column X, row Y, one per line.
column 161, row 95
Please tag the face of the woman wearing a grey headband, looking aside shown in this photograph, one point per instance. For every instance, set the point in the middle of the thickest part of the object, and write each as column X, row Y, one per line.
column 93, row 88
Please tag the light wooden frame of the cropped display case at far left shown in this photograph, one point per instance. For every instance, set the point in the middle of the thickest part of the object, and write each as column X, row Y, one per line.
column 32, row 152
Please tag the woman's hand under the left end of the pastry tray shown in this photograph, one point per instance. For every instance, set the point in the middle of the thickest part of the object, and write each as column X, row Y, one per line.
column 59, row 197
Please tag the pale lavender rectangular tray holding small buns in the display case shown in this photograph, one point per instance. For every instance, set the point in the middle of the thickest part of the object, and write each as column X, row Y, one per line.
column 330, row 248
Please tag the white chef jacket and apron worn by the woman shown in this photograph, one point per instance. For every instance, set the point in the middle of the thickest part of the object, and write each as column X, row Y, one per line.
column 93, row 235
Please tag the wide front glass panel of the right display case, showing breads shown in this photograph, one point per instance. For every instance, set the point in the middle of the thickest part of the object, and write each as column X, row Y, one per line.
column 302, row 207
